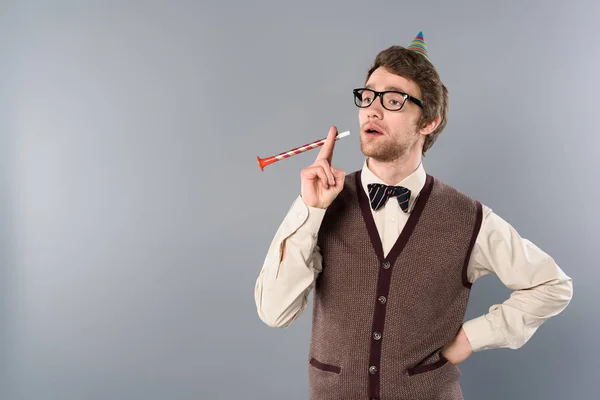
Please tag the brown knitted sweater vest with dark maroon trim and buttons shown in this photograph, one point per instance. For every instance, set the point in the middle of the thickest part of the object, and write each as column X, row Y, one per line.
column 379, row 323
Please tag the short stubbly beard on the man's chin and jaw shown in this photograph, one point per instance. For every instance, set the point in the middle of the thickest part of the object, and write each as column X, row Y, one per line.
column 388, row 148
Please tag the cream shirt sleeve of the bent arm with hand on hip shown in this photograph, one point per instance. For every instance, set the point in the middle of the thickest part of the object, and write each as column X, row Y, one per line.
column 540, row 288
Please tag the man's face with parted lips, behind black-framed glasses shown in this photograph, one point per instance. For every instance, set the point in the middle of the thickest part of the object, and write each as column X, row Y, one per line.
column 398, row 130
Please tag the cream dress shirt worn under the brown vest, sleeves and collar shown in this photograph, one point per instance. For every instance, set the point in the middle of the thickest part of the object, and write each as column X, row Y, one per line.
column 540, row 288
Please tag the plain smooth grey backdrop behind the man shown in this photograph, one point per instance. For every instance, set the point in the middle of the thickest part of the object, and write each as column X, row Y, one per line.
column 134, row 219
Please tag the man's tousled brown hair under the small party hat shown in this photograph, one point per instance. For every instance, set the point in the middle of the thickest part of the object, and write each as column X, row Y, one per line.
column 415, row 67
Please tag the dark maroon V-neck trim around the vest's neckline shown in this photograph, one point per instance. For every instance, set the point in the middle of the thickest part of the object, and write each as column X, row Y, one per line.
column 411, row 223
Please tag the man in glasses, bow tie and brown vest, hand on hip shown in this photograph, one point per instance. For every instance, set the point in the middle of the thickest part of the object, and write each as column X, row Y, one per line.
column 392, row 252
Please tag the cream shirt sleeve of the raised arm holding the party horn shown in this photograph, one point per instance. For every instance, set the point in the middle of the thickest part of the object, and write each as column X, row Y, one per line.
column 291, row 267
